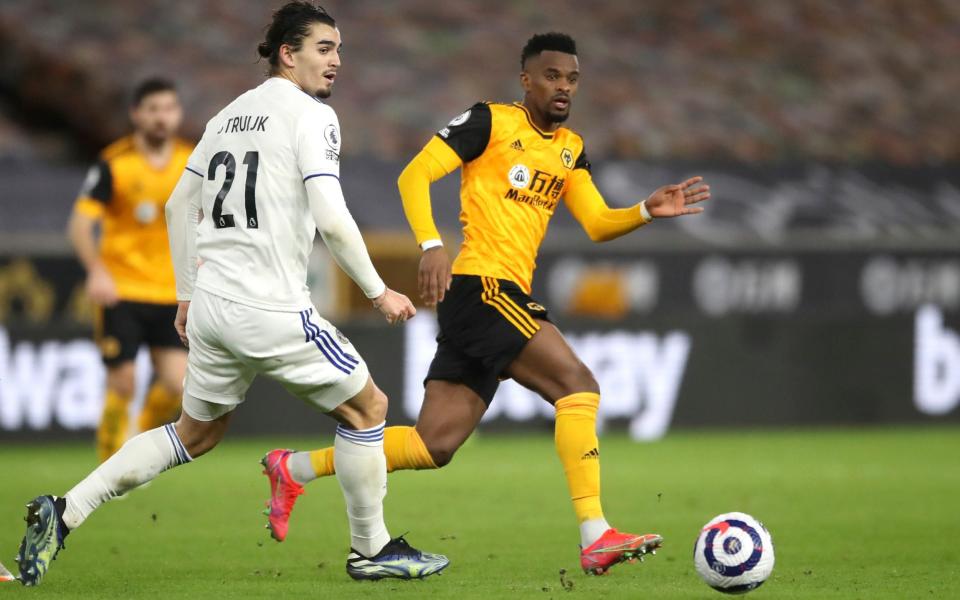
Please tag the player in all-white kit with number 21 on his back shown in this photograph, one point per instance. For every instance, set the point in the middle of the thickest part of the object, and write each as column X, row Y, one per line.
column 241, row 222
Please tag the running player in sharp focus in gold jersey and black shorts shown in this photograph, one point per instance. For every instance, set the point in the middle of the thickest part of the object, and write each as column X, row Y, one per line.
column 518, row 164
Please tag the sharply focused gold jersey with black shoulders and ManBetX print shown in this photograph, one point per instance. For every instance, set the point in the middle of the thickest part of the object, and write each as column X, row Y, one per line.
column 514, row 176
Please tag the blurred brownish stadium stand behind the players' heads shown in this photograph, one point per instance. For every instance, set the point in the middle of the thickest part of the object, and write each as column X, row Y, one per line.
column 721, row 80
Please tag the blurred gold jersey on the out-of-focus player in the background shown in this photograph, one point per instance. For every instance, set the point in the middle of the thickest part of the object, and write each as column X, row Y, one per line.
column 128, row 194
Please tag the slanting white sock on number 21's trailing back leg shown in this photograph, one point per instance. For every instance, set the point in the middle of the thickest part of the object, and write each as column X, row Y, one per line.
column 142, row 458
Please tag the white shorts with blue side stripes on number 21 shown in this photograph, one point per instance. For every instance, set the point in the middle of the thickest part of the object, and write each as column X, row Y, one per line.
column 231, row 343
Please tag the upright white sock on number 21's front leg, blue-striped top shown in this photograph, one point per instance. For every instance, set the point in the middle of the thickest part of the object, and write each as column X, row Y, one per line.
column 362, row 473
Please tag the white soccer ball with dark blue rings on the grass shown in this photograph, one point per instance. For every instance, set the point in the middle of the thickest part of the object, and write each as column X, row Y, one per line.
column 734, row 553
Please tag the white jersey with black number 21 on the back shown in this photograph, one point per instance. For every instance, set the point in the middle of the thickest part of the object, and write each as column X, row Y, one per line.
column 257, row 230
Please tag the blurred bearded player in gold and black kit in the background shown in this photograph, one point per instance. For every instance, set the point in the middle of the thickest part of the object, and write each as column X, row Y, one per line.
column 130, row 274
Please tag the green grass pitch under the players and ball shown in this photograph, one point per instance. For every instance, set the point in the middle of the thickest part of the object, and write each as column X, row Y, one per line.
column 866, row 514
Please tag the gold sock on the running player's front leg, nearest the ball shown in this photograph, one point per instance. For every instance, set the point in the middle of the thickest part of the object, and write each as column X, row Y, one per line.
column 575, row 436
